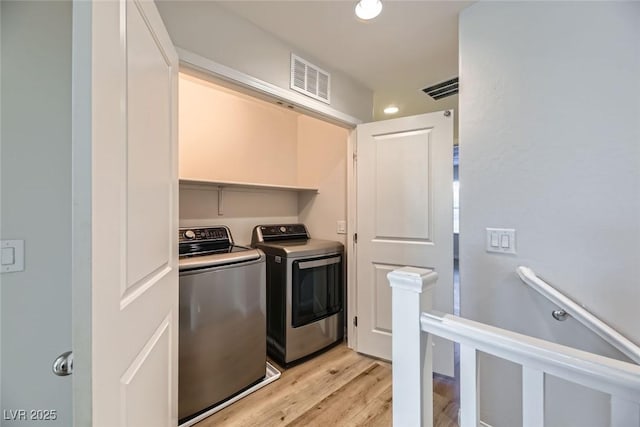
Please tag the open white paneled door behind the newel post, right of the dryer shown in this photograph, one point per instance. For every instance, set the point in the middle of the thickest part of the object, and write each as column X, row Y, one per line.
column 404, row 204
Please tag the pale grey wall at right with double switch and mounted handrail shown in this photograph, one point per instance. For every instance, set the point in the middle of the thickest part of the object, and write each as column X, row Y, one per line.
column 550, row 146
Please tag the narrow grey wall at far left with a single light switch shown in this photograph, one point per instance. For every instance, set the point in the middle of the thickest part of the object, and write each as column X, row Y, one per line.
column 36, row 205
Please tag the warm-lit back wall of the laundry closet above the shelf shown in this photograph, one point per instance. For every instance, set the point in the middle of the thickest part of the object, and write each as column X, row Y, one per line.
column 225, row 135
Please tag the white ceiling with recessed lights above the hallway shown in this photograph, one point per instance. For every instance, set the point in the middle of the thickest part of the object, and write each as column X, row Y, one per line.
column 409, row 46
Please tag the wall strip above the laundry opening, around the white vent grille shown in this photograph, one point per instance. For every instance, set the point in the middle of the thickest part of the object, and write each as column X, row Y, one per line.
column 209, row 30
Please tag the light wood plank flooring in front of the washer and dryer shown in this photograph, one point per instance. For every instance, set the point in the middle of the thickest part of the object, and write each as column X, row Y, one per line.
column 337, row 388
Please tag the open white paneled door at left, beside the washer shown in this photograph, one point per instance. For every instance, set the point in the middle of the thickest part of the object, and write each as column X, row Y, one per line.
column 134, row 214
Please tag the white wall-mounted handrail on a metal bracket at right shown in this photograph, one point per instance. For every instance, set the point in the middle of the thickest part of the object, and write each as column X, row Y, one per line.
column 581, row 314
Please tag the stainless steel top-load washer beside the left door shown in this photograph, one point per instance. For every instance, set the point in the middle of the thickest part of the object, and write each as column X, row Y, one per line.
column 222, row 321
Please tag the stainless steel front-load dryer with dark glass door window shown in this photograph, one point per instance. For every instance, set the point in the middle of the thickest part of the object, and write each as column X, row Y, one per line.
column 305, row 291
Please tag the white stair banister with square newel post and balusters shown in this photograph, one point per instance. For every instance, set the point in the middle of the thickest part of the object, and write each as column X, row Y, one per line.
column 412, row 361
